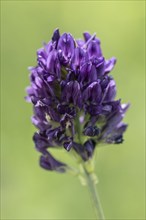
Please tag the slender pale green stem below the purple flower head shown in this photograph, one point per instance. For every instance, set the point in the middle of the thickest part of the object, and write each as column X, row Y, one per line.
column 94, row 196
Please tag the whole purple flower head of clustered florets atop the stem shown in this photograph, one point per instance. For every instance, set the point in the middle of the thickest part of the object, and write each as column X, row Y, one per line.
column 73, row 97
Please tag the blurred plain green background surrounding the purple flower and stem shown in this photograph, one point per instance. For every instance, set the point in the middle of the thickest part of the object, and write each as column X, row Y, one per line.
column 29, row 192
